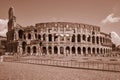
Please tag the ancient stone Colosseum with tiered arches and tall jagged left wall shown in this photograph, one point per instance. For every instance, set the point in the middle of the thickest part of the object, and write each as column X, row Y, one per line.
column 56, row 38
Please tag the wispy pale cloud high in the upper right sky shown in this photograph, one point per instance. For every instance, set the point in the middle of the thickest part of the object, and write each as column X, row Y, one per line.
column 111, row 19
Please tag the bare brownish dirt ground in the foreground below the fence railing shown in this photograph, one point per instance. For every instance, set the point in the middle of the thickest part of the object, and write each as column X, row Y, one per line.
column 19, row 71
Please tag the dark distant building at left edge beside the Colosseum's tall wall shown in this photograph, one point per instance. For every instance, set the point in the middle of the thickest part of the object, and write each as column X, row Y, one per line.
column 3, row 42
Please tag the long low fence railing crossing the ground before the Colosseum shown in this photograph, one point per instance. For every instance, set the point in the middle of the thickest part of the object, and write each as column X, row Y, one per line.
column 115, row 67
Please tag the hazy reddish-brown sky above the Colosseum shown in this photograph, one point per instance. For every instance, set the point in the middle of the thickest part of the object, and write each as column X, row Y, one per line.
column 103, row 13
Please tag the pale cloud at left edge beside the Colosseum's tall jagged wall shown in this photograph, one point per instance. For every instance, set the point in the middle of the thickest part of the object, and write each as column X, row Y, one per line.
column 3, row 27
